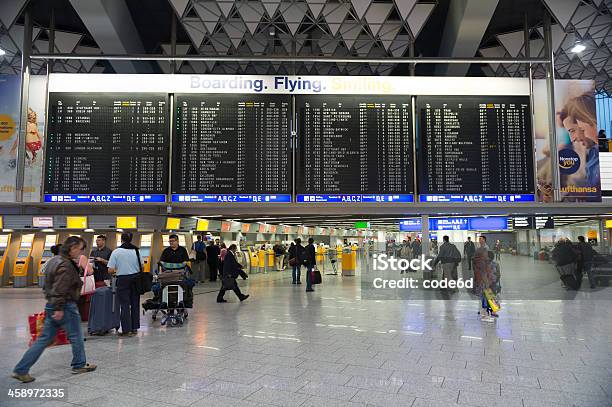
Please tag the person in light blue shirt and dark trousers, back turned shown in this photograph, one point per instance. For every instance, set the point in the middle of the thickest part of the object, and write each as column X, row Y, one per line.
column 125, row 263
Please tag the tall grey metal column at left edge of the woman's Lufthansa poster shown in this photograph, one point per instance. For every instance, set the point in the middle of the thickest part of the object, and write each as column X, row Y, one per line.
column 550, row 88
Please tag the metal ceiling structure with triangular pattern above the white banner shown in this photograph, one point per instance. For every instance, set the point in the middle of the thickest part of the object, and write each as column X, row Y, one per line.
column 311, row 28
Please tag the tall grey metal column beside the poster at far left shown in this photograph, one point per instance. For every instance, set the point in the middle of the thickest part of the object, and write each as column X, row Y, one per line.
column 23, row 114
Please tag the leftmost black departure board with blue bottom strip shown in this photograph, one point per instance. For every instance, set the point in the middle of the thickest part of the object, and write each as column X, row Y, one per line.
column 107, row 148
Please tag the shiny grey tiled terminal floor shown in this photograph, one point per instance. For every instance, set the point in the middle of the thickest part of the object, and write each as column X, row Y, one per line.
column 285, row 347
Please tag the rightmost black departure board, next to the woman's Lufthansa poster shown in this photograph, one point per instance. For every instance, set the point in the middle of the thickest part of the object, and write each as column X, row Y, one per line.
column 475, row 148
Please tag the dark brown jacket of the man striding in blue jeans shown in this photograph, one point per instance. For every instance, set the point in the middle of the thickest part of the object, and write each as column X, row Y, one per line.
column 63, row 282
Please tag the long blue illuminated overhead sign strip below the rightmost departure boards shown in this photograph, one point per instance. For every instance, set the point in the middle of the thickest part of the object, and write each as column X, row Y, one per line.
column 456, row 223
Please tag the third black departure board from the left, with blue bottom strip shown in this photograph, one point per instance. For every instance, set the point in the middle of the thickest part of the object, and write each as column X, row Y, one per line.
column 354, row 148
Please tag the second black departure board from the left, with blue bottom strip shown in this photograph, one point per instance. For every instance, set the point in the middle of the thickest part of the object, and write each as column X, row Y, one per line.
column 232, row 148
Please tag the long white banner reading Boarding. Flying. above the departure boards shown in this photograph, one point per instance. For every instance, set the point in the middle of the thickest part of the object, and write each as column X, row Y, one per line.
column 330, row 85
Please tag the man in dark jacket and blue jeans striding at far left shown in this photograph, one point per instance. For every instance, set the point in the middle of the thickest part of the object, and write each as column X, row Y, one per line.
column 62, row 289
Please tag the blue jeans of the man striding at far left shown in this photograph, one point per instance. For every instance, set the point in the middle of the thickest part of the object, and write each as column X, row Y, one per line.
column 71, row 323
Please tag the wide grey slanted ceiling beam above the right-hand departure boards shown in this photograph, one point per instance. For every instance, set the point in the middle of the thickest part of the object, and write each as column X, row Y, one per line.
column 466, row 23
